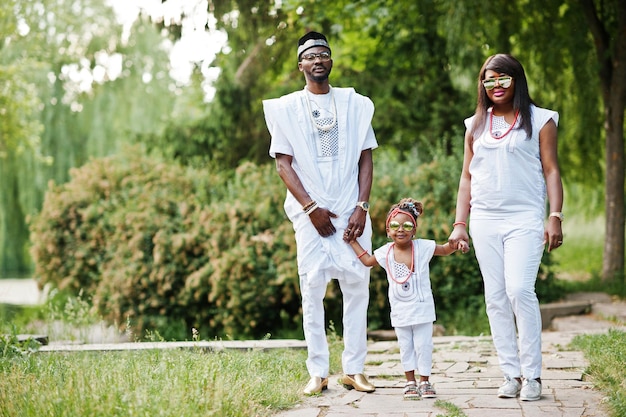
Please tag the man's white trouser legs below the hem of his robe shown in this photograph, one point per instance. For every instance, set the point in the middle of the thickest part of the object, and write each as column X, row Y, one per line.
column 355, row 302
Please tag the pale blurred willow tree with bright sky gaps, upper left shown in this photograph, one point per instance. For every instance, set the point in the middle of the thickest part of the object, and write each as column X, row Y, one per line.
column 63, row 102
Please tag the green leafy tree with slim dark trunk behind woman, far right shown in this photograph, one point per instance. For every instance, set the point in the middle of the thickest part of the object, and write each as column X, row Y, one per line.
column 575, row 52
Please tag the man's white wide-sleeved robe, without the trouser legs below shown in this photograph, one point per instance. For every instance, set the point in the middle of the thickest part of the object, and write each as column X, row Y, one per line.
column 330, row 178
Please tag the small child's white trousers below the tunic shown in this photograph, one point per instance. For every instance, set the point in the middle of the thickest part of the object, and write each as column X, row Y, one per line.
column 416, row 347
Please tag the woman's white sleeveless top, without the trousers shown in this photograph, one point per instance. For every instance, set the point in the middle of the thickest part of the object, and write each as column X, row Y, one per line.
column 507, row 174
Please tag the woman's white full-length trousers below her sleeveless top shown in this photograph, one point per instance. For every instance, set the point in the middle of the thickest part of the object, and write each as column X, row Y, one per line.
column 509, row 253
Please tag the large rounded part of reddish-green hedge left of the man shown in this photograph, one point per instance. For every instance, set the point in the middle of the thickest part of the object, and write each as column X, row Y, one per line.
column 159, row 243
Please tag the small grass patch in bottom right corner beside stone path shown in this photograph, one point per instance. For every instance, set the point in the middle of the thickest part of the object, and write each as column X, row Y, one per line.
column 605, row 354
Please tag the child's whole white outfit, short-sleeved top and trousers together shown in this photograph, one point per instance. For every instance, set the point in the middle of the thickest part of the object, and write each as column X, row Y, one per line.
column 412, row 304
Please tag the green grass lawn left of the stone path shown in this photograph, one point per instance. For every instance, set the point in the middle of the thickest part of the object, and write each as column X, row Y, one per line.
column 227, row 383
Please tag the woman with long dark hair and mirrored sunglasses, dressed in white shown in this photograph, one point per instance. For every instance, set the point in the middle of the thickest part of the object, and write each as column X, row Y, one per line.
column 510, row 164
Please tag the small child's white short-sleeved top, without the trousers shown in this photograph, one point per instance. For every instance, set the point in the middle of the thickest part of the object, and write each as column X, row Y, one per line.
column 411, row 302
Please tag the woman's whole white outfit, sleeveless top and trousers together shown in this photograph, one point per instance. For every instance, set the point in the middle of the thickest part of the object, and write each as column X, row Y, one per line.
column 508, row 203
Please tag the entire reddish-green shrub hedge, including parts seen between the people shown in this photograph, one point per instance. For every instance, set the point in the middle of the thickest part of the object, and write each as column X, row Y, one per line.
column 168, row 248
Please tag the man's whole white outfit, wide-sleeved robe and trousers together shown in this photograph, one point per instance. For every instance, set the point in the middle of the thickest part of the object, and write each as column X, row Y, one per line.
column 332, row 181
